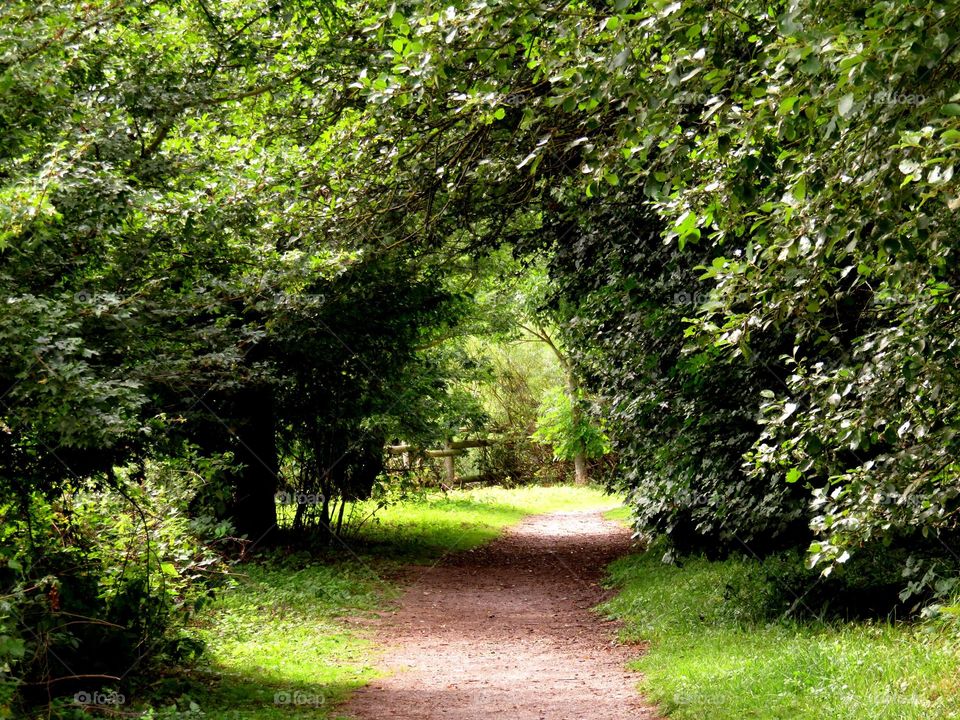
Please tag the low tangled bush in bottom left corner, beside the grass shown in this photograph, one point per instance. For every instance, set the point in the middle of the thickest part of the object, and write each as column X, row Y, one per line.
column 101, row 580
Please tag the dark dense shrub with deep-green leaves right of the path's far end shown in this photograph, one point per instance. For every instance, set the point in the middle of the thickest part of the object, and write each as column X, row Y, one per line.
column 680, row 419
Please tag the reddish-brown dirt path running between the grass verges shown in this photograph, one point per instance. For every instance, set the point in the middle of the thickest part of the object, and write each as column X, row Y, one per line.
column 506, row 631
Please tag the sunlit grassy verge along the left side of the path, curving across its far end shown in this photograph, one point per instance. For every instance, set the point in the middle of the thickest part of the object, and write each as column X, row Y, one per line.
column 278, row 644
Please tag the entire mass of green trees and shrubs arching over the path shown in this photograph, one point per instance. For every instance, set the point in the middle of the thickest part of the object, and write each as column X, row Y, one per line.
column 246, row 242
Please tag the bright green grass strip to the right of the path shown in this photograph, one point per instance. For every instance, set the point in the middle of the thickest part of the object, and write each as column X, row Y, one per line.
column 707, row 658
